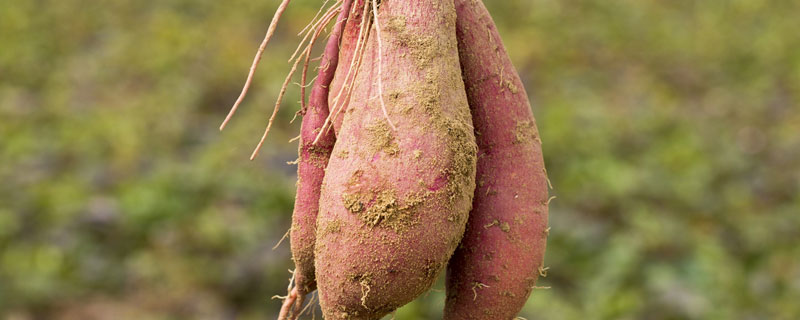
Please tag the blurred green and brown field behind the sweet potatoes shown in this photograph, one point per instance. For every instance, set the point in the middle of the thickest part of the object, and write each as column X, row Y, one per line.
column 671, row 133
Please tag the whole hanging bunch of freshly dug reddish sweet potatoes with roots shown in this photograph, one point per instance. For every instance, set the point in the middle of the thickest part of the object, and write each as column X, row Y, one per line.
column 418, row 153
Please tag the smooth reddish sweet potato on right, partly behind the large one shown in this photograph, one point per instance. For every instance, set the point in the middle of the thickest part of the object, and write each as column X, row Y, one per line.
column 493, row 271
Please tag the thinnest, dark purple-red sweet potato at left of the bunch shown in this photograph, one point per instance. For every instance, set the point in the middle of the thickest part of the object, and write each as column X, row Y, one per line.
column 313, row 160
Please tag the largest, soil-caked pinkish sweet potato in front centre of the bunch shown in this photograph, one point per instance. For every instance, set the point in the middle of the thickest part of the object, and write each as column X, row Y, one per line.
column 395, row 201
